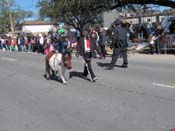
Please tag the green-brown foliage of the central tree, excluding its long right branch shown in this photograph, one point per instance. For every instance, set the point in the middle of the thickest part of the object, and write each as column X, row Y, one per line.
column 76, row 13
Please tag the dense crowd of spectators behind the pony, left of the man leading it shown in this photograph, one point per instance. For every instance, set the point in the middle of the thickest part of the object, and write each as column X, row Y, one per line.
column 37, row 43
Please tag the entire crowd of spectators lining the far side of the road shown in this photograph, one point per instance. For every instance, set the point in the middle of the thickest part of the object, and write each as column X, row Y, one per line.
column 60, row 38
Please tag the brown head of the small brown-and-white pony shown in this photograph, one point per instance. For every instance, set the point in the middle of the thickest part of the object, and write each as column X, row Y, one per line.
column 67, row 59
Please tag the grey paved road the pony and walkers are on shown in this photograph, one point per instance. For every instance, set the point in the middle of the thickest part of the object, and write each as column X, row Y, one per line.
column 140, row 98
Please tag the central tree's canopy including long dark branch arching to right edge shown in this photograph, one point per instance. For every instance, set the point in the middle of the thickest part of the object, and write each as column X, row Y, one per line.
column 79, row 13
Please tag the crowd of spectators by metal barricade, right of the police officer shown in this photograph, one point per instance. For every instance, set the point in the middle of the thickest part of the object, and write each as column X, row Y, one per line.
column 157, row 37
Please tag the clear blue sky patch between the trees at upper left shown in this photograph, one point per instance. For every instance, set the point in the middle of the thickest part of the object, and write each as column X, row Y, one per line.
column 29, row 5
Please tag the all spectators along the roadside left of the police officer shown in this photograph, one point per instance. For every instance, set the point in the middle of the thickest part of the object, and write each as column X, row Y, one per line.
column 58, row 39
